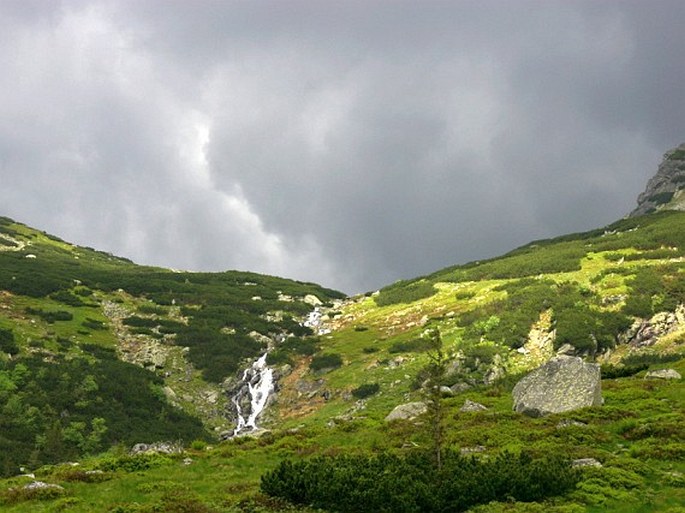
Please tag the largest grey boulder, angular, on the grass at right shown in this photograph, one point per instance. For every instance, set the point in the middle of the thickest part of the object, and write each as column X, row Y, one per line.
column 564, row 383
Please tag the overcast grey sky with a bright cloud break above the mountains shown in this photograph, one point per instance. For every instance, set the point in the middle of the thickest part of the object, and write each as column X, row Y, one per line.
column 350, row 143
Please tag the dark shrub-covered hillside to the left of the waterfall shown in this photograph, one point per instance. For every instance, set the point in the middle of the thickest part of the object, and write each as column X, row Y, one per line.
column 95, row 350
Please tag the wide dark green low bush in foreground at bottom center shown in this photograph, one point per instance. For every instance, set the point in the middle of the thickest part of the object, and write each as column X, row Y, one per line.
column 412, row 483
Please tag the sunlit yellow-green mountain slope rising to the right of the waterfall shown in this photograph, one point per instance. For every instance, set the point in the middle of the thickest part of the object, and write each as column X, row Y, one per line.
column 586, row 293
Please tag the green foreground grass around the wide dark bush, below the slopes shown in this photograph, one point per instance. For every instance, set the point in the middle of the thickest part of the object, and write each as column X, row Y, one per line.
column 633, row 477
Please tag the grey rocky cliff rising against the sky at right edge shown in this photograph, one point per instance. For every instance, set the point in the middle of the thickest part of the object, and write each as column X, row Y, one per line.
column 666, row 189
